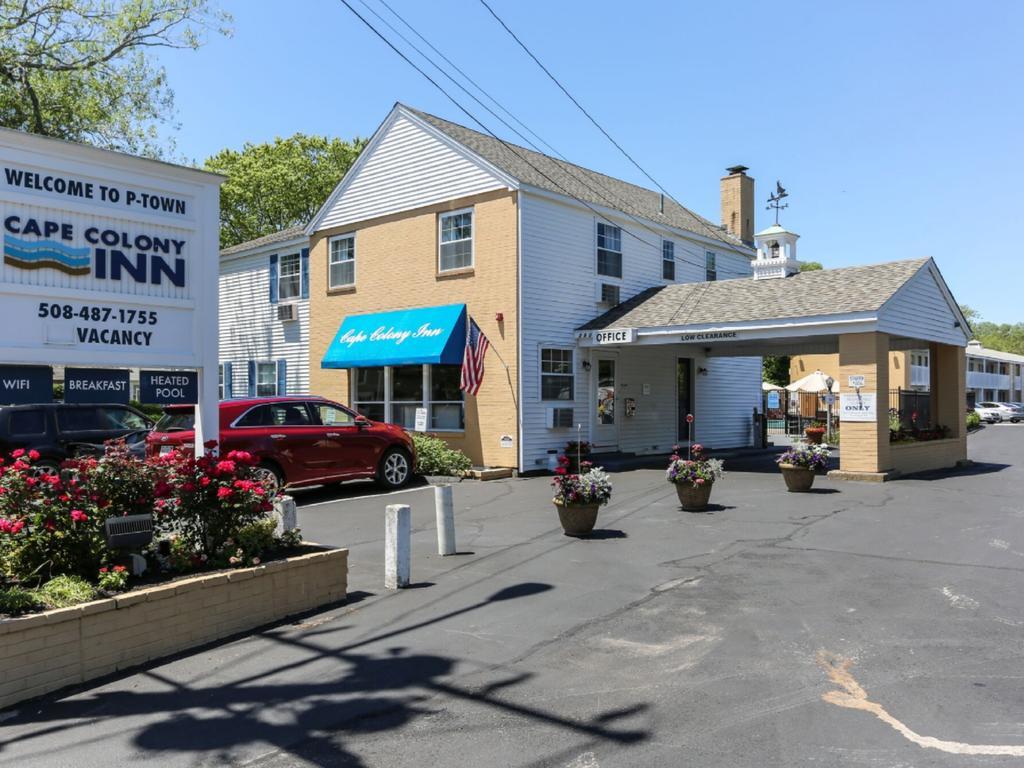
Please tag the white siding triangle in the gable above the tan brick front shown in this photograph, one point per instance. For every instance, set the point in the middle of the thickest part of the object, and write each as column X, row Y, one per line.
column 406, row 167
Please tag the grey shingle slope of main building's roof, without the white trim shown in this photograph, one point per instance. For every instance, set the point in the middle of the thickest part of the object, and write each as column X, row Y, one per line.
column 556, row 176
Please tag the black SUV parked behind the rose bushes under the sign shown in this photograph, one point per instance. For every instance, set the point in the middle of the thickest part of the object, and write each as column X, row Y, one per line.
column 63, row 431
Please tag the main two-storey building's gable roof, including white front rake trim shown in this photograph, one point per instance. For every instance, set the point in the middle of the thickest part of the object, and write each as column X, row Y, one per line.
column 522, row 166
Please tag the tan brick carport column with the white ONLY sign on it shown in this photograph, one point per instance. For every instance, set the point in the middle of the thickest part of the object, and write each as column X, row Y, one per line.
column 865, row 446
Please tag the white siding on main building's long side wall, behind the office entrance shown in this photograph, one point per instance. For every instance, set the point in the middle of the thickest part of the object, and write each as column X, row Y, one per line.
column 561, row 292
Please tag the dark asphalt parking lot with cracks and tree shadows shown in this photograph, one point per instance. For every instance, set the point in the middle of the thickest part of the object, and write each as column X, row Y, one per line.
column 875, row 625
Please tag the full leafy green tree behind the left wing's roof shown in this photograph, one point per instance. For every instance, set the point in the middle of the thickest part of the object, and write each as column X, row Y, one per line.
column 278, row 185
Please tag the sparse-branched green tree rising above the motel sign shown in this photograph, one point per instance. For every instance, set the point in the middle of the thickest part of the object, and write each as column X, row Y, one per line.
column 81, row 70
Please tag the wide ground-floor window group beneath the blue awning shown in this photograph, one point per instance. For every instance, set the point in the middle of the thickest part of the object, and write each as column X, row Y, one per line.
column 394, row 394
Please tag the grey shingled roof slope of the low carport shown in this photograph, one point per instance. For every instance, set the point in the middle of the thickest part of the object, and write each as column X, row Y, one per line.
column 824, row 292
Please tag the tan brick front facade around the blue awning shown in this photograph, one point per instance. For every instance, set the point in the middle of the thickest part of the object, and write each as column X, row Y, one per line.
column 397, row 262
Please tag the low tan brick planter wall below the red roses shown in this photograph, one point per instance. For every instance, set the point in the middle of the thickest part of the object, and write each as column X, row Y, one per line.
column 46, row 652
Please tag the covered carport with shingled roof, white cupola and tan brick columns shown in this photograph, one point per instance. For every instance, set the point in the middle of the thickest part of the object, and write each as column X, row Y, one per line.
column 860, row 314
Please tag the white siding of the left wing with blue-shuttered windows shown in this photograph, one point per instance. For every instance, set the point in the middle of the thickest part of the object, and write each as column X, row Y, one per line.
column 249, row 326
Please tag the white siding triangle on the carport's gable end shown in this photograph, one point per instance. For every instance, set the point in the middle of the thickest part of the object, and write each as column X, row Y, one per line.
column 920, row 311
